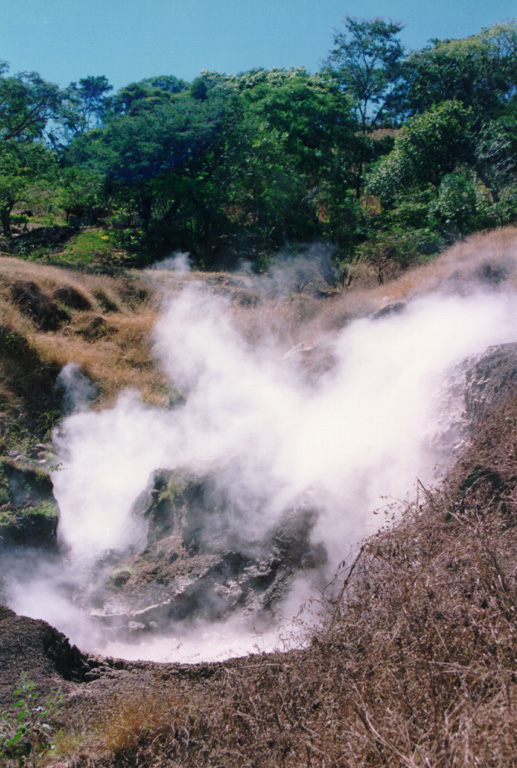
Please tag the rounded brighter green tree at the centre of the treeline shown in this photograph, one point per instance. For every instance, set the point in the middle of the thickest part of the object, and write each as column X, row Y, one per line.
column 298, row 134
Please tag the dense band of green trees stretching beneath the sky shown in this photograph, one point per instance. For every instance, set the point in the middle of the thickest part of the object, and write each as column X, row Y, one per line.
column 386, row 154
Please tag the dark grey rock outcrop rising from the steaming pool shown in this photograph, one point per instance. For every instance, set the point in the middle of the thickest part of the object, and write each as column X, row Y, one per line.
column 199, row 565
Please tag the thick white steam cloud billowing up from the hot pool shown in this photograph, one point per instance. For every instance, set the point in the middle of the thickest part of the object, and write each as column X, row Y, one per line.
column 385, row 412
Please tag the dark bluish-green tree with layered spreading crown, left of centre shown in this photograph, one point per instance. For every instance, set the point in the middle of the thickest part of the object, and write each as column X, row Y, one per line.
column 155, row 152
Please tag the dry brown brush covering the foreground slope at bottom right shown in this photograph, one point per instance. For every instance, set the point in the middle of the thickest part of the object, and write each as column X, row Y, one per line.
column 413, row 665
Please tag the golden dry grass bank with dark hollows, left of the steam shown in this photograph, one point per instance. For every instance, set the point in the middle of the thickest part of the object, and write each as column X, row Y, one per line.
column 52, row 316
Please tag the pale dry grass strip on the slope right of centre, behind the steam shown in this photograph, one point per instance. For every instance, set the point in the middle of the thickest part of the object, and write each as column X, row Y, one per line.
column 485, row 260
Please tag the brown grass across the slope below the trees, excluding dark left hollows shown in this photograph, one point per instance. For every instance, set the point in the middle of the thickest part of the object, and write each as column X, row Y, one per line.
column 110, row 336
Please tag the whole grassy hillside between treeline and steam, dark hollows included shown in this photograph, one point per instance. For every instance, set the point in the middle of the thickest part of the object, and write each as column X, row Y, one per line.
column 52, row 316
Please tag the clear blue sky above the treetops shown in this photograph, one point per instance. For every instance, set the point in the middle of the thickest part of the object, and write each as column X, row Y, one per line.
column 127, row 40
